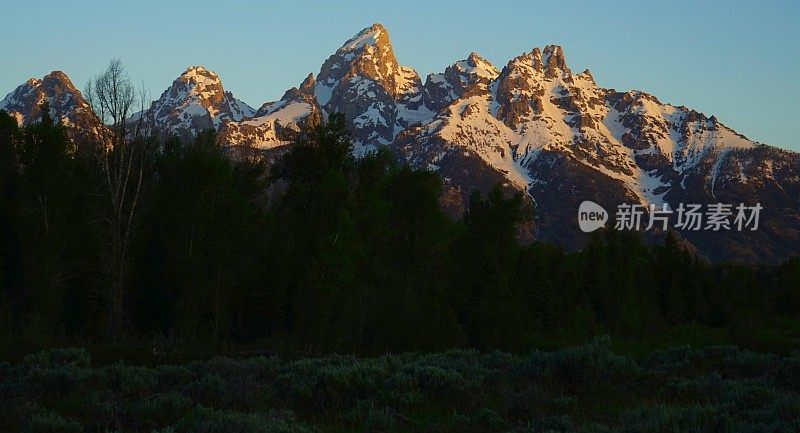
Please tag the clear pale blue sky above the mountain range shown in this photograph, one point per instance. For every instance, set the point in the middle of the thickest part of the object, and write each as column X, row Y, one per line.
column 738, row 60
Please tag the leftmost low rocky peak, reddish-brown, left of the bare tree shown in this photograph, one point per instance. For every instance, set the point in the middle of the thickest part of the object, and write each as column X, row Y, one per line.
column 67, row 105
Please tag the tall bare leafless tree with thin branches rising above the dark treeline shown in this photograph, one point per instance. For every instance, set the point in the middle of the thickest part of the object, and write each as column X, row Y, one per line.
column 124, row 153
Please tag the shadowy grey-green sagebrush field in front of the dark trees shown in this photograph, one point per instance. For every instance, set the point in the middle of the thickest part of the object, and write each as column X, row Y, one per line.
column 587, row 389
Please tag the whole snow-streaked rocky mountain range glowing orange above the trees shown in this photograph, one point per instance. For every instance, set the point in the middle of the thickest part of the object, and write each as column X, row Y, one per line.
column 532, row 125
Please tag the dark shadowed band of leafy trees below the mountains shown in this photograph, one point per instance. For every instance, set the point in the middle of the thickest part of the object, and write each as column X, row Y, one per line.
column 319, row 252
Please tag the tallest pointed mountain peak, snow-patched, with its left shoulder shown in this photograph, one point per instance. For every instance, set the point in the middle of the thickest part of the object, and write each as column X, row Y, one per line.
column 362, row 79
